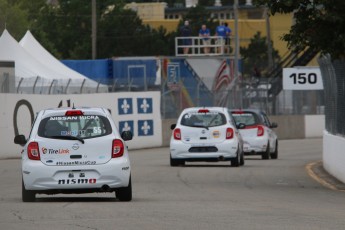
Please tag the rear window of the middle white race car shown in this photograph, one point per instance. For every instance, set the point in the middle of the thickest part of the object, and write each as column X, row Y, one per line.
column 209, row 119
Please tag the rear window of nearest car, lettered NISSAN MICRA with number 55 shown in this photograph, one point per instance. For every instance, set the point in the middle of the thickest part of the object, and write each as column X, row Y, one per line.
column 86, row 126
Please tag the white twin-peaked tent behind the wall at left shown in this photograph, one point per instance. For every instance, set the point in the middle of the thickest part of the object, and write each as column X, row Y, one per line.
column 38, row 69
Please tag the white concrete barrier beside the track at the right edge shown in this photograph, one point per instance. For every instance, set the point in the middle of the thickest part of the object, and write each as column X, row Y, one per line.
column 334, row 155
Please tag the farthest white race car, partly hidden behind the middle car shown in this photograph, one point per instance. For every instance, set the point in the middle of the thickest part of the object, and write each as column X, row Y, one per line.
column 258, row 136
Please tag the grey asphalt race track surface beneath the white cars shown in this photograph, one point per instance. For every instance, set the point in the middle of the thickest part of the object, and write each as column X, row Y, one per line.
column 264, row 194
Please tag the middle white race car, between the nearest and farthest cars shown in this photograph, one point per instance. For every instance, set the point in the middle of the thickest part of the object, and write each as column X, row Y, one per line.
column 206, row 134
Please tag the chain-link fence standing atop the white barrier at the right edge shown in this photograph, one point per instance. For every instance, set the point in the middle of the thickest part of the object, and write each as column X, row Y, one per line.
column 333, row 74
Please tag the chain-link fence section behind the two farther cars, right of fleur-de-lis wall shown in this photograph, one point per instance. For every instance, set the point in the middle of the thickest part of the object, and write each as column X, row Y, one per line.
column 242, row 95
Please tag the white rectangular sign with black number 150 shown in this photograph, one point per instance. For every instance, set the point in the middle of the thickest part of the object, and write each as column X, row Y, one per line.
column 302, row 78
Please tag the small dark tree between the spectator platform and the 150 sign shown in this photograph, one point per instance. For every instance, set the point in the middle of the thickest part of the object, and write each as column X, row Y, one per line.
column 255, row 56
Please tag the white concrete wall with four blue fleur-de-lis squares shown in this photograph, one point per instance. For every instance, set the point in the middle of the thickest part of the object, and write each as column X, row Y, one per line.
column 10, row 118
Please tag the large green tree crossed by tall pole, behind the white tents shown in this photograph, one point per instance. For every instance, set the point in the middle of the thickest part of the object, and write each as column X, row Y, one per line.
column 66, row 28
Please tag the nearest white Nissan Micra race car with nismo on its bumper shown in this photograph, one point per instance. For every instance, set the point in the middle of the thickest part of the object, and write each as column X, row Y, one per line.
column 75, row 150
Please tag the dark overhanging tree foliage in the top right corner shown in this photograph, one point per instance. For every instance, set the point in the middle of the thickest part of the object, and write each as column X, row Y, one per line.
column 319, row 24
